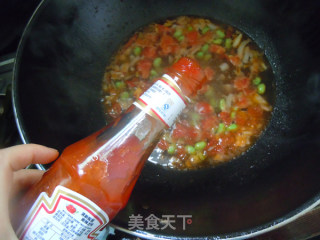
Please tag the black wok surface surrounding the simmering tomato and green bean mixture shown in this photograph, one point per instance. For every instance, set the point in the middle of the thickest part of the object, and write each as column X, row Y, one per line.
column 56, row 95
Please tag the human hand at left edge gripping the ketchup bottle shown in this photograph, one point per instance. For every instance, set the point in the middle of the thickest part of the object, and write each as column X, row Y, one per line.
column 14, row 178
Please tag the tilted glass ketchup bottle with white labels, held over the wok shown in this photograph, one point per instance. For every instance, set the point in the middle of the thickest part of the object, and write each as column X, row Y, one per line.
column 92, row 179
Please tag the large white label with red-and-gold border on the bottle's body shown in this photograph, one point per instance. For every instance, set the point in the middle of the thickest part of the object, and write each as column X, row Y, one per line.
column 65, row 215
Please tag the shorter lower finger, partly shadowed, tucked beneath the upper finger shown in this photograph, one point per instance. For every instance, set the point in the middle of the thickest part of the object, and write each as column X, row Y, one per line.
column 24, row 179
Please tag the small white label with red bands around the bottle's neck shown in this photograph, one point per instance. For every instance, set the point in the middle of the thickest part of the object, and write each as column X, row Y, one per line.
column 163, row 100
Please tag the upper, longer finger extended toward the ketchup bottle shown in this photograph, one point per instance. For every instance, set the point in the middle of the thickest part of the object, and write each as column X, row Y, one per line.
column 21, row 156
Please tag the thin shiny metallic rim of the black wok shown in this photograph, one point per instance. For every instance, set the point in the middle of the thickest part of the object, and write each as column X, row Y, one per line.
column 248, row 233
